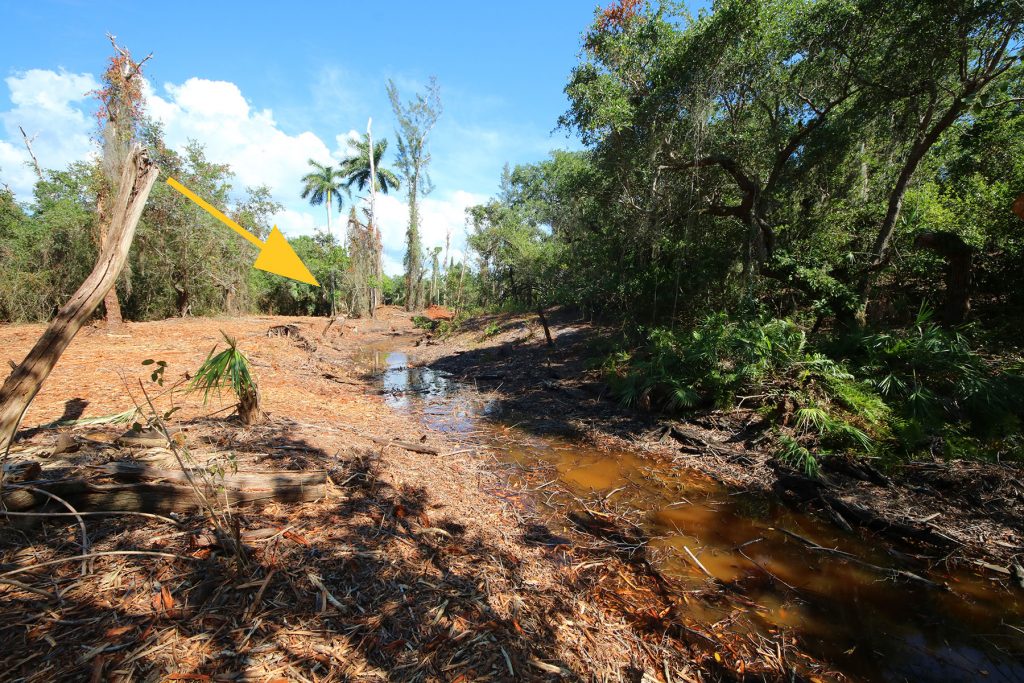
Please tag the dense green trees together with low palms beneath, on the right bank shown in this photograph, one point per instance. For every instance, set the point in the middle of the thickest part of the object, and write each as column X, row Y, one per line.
column 807, row 203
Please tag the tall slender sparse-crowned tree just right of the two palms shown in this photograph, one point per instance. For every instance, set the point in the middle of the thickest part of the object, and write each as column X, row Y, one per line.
column 416, row 119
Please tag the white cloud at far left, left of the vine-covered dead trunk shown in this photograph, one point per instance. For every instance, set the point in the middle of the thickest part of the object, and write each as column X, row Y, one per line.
column 54, row 109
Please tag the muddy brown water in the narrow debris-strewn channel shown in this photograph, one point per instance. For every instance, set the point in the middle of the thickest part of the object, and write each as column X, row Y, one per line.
column 863, row 624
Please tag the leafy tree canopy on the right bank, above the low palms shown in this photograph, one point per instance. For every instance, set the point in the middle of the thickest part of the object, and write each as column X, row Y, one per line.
column 815, row 158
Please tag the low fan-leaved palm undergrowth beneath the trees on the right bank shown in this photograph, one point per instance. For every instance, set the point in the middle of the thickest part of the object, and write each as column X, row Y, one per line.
column 912, row 387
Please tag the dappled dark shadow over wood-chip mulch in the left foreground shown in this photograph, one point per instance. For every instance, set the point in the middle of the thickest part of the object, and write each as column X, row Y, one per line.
column 365, row 585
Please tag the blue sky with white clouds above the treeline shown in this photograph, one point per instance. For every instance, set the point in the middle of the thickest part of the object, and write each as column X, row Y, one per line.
column 267, row 88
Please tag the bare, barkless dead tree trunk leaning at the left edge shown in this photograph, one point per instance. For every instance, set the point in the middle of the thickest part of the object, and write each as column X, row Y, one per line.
column 24, row 383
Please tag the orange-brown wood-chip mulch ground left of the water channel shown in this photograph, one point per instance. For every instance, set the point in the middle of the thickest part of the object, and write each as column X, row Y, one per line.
column 411, row 569
